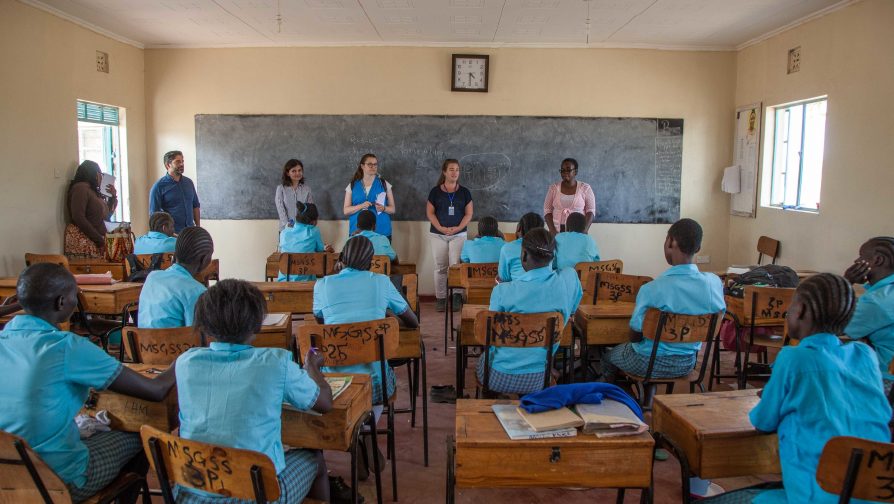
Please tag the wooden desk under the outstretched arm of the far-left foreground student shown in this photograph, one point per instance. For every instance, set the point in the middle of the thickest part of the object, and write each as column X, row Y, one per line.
column 128, row 413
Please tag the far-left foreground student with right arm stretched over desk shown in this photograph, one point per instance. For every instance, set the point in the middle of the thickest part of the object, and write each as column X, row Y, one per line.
column 49, row 374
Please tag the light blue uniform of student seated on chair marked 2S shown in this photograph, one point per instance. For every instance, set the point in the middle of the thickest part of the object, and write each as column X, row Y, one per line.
column 357, row 296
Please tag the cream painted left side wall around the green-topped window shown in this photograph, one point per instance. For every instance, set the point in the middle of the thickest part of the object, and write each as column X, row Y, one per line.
column 49, row 63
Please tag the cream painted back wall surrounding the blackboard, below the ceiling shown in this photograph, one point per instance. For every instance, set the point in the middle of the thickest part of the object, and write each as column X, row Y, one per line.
column 697, row 86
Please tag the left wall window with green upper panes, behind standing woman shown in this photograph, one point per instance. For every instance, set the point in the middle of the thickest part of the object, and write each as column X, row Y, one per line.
column 100, row 139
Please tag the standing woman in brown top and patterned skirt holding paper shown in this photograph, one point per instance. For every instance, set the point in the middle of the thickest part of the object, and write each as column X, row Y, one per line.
column 88, row 210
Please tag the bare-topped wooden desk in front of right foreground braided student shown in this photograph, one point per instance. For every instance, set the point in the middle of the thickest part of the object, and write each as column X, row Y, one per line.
column 713, row 436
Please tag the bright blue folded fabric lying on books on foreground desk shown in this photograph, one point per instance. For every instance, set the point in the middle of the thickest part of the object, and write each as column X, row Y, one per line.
column 577, row 393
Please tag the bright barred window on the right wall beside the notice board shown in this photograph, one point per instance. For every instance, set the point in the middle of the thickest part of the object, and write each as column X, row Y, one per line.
column 798, row 139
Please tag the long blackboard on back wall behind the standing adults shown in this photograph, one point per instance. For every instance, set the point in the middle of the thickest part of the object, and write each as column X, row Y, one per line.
column 508, row 162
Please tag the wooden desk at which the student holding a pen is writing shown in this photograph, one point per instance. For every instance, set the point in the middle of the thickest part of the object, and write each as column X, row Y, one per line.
column 333, row 430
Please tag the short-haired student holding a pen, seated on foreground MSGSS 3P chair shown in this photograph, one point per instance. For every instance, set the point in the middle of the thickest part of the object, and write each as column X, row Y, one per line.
column 232, row 393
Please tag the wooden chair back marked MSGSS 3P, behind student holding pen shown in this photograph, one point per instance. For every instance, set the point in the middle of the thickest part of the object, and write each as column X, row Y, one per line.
column 221, row 470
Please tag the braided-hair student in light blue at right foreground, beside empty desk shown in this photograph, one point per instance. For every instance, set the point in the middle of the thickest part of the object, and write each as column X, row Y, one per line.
column 819, row 389
